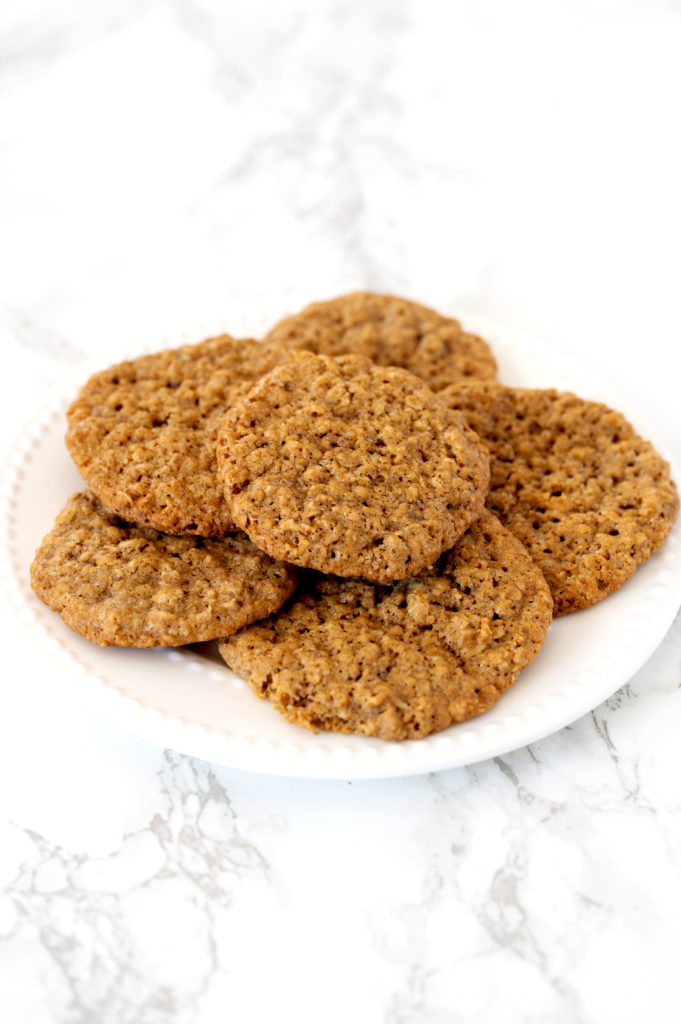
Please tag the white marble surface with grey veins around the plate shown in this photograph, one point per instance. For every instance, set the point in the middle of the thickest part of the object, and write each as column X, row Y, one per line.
column 201, row 165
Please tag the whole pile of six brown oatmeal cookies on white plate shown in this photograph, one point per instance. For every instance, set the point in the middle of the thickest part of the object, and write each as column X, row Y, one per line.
column 377, row 532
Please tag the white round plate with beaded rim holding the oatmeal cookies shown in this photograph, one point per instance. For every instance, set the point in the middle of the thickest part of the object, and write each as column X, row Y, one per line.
column 188, row 700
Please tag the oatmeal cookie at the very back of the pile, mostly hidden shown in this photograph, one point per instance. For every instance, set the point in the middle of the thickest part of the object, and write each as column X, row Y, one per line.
column 390, row 331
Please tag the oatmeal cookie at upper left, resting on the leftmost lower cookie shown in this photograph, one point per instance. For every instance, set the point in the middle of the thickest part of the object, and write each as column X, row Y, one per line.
column 143, row 433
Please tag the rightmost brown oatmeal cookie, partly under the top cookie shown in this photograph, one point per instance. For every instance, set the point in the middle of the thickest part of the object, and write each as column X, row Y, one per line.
column 575, row 483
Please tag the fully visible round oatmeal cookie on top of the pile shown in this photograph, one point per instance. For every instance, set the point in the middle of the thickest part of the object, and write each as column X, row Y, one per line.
column 350, row 468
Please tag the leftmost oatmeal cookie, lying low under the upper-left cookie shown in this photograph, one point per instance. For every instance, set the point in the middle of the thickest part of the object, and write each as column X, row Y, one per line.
column 115, row 583
